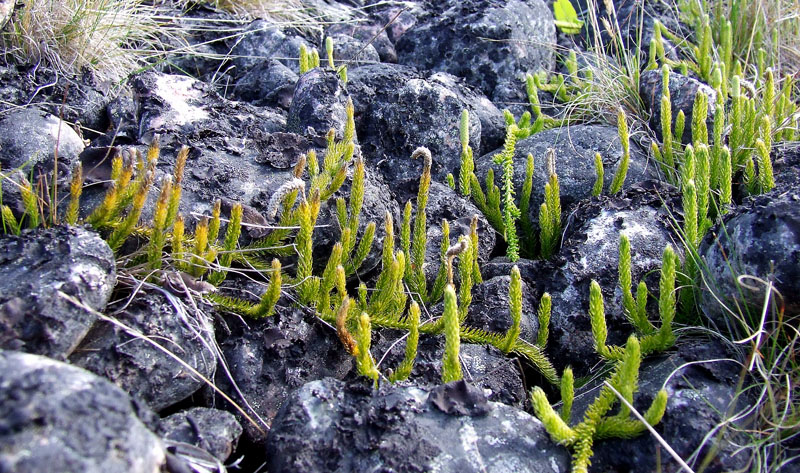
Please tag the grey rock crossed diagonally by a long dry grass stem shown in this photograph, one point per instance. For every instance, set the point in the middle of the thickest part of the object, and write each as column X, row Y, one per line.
column 142, row 369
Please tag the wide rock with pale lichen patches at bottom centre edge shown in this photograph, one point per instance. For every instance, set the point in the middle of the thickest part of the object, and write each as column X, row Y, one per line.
column 330, row 426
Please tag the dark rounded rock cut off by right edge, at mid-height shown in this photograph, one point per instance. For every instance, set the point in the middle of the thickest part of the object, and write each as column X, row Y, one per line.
column 759, row 241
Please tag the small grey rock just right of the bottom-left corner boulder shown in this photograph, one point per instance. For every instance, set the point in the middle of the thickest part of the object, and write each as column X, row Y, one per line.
column 213, row 430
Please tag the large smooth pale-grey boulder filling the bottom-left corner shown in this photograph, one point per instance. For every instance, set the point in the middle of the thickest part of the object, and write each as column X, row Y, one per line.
column 57, row 416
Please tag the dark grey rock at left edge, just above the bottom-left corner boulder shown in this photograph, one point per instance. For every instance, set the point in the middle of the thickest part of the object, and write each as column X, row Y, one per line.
column 34, row 268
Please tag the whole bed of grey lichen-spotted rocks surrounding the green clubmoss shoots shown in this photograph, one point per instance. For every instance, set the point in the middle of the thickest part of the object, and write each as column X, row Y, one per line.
column 85, row 393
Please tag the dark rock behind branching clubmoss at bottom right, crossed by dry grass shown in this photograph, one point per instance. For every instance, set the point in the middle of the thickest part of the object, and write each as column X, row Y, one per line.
column 700, row 377
